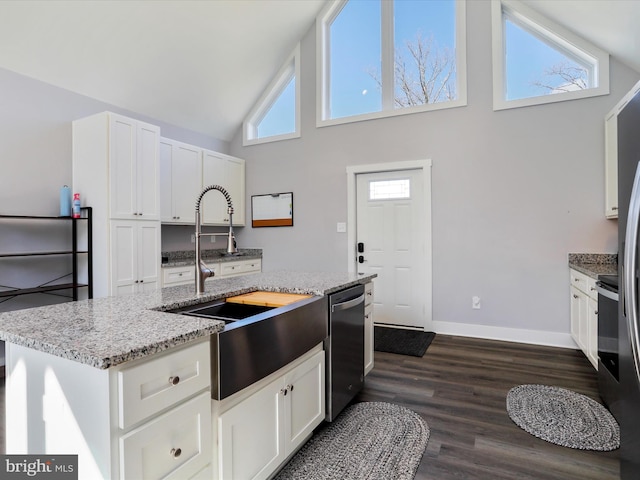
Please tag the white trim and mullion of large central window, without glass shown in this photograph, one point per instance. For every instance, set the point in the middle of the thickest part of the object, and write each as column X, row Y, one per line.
column 323, row 21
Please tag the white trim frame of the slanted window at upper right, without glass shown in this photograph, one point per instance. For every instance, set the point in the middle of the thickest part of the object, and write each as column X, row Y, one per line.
column 559, row 36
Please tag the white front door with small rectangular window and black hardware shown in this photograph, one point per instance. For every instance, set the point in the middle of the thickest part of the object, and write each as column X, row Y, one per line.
column 391, row 222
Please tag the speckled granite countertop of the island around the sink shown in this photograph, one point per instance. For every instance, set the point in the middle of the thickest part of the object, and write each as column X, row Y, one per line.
column 109, row 331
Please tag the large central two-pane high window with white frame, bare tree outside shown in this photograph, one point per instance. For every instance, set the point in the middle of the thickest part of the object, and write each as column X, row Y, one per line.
column 380, row 58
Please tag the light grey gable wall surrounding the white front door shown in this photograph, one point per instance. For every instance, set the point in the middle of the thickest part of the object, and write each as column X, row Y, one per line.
column 513, row 192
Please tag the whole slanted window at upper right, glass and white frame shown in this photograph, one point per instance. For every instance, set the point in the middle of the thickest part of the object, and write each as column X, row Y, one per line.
column 537, row 61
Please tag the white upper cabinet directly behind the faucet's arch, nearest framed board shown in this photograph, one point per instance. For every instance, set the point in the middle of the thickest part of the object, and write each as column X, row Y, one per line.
column 228, row 172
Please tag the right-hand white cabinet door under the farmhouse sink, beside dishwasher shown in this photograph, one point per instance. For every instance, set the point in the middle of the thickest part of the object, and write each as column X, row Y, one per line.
column 304, row 401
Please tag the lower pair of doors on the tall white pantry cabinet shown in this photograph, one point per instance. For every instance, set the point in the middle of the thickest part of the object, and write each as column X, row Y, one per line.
column 135, row 254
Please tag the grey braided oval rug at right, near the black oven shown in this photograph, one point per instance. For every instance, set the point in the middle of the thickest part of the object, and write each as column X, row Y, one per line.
column 563, row 417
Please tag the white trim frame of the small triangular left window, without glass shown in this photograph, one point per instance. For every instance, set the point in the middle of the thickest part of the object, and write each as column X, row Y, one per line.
column 290, row 70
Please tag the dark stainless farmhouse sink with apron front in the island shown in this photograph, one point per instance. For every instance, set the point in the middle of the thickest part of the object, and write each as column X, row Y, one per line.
column 258, row 340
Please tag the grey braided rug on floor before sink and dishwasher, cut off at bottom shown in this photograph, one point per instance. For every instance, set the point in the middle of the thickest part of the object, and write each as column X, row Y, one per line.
column 368, row 440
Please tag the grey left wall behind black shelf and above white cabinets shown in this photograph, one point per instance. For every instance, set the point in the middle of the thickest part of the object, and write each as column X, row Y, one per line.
column 35, row 160
